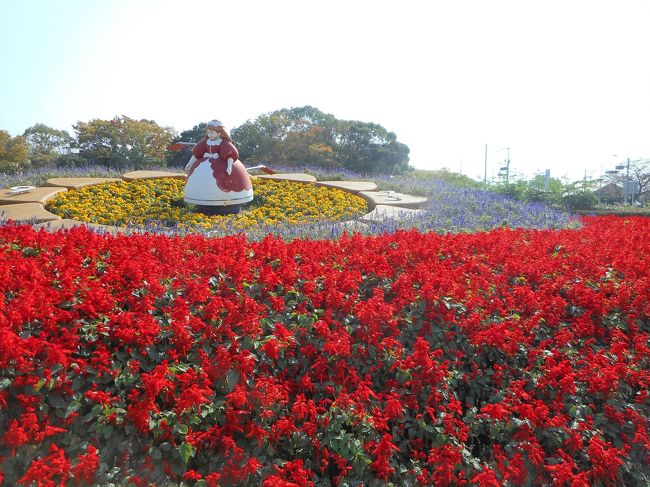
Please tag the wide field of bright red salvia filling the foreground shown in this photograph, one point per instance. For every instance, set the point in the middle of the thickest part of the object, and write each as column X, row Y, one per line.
column 513, row 357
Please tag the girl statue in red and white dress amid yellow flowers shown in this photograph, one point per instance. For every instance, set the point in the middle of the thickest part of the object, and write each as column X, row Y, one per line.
column 217, row 181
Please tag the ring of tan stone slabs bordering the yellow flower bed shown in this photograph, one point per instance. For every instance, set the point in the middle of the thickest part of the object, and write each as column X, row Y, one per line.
column 29, row 208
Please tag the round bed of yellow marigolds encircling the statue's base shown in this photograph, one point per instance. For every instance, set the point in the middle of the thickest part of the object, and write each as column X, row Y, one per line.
column 160, row 202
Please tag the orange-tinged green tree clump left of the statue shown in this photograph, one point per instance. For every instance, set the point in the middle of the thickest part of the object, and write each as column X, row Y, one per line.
column 123, row 142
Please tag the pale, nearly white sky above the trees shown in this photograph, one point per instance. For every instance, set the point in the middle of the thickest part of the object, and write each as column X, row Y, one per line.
column 564, row 84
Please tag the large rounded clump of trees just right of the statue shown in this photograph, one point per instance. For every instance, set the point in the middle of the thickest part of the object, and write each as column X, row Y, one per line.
column 305, row 135
